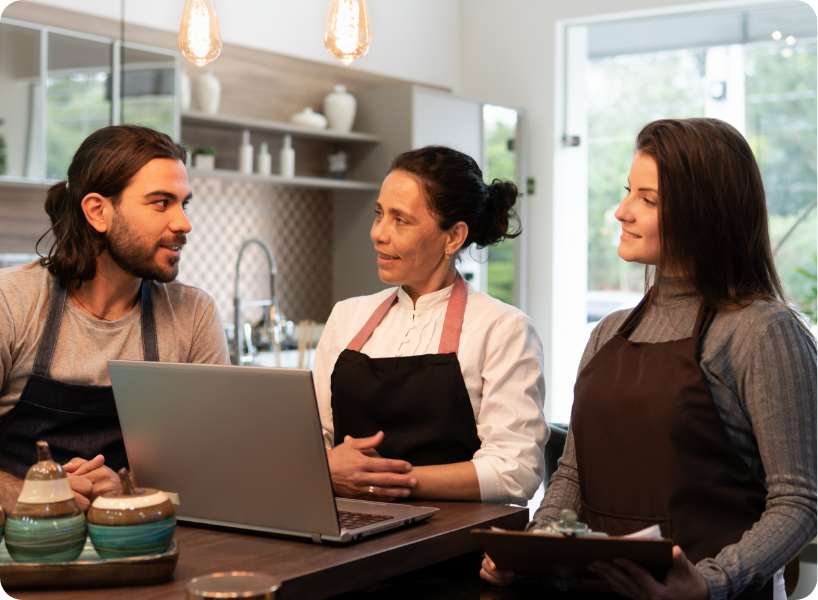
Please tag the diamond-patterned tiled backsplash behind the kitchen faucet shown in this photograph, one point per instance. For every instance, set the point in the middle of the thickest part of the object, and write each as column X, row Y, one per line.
column 296, row 222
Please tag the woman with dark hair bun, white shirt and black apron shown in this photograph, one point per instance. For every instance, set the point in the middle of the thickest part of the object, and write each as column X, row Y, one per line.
column 431, row 389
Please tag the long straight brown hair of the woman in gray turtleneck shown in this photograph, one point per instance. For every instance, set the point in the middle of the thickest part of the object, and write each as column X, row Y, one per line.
column 712, row 213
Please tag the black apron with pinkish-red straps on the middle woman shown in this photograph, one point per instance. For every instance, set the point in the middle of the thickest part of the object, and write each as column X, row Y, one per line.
column 419, row 402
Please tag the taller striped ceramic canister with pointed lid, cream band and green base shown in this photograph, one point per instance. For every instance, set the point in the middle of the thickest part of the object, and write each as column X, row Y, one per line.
column 46, row 524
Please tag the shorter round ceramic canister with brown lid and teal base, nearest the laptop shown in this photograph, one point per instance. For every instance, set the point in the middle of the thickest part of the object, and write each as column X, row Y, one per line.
column 133, row 522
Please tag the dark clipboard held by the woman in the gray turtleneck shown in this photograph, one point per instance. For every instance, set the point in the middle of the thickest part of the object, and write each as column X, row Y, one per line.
column 567, row 557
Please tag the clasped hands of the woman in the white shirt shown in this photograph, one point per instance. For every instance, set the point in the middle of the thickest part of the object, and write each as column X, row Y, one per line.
column 355, row 466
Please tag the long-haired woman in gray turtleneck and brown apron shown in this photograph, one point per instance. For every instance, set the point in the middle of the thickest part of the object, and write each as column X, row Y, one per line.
column 696, row 411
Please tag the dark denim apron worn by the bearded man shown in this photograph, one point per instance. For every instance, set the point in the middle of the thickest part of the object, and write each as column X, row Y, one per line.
column 75, row 420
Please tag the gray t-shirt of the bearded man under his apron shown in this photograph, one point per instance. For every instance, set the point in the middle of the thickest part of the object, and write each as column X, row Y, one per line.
column 188, row 329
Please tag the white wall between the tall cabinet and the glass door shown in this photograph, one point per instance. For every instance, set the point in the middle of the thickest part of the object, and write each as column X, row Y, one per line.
column 508, row 54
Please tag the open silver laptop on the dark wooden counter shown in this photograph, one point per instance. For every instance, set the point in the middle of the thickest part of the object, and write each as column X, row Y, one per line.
column 240, row 447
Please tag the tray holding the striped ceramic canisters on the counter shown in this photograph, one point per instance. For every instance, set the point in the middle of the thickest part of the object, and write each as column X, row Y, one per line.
column 88, row 571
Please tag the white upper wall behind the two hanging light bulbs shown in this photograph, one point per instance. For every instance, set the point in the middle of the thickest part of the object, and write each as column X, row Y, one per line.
column 418, row 40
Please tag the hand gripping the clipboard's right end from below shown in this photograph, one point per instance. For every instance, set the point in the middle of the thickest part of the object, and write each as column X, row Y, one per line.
column 683, row 581
